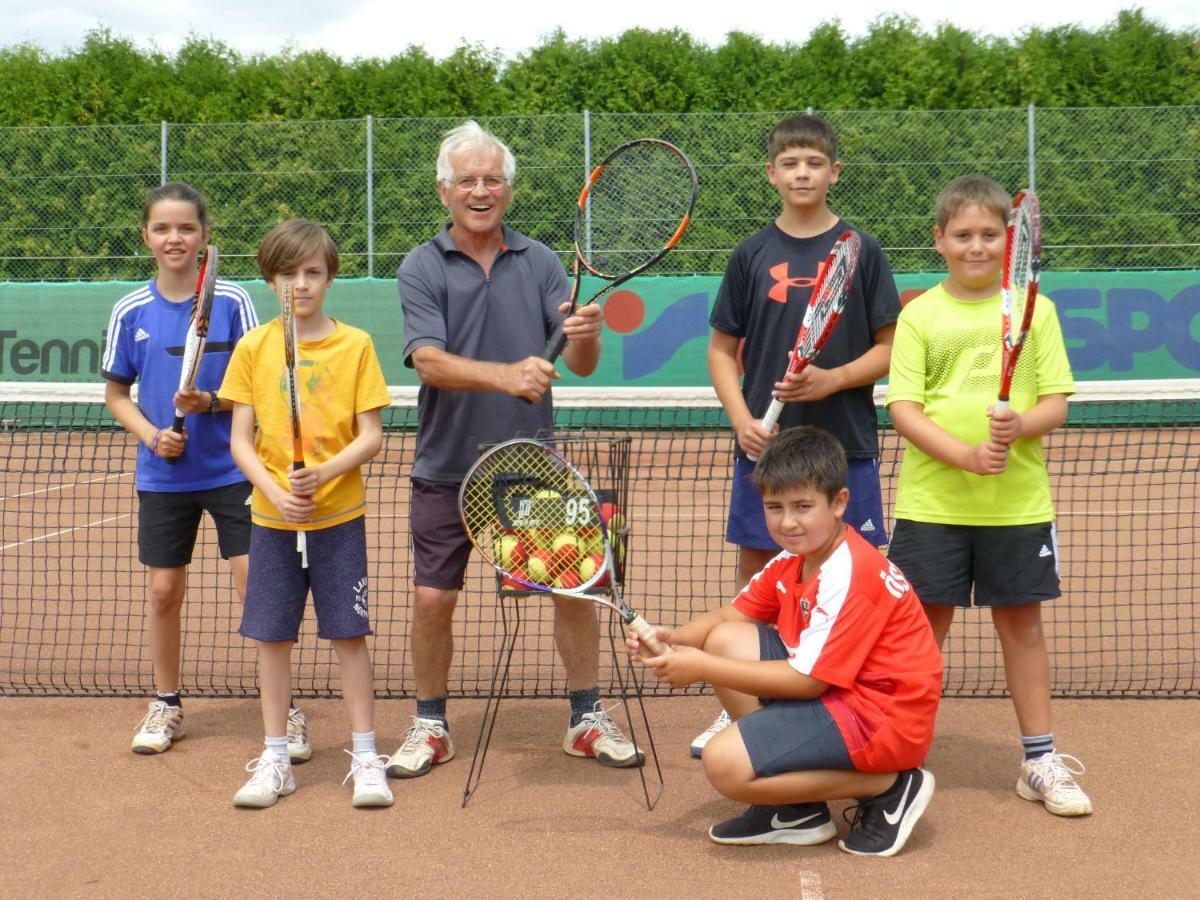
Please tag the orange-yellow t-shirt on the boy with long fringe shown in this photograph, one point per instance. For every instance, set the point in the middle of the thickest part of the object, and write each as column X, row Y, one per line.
column 339, row 377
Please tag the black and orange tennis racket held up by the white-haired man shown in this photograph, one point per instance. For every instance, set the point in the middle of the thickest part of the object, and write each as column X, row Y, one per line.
column 633, row 211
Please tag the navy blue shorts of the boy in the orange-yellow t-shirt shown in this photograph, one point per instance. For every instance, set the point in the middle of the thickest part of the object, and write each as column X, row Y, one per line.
column 279, row 586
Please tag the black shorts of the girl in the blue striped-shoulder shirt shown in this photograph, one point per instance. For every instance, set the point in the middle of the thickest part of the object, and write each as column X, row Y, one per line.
column 170, row 520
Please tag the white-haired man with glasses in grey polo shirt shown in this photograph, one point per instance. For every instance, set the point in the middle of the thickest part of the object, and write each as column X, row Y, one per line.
column 481, row 302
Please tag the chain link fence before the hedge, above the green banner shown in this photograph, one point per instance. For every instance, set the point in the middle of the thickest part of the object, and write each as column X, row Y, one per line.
column 1120, row 188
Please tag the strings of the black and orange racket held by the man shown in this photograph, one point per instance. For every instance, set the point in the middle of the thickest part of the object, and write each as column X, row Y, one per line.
column 634, row 208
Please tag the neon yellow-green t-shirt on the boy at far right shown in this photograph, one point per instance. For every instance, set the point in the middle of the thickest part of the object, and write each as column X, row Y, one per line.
column 946, row 357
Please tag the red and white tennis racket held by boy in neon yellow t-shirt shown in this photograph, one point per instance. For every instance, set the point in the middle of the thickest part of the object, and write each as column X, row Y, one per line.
column 1019, row 285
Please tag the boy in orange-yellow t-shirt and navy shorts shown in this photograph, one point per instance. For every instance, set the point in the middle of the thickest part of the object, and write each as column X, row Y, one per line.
column 341, row 392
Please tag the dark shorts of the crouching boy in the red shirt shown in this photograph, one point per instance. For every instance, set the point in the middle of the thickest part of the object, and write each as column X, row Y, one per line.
column 790, row 735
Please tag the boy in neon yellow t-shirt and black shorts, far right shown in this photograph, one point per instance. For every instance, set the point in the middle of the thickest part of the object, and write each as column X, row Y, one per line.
column 974, row 509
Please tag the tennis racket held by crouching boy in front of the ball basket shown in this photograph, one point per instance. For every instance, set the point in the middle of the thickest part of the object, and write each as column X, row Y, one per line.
column 536, row 520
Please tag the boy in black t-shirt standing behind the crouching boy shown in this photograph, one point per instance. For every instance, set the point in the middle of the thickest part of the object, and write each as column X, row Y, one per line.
column 759, row 311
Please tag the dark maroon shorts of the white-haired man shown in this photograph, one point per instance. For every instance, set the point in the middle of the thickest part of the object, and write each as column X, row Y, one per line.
column 441, row 547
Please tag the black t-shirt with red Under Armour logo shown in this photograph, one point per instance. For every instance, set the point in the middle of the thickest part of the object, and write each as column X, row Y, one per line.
column 763, row 299
